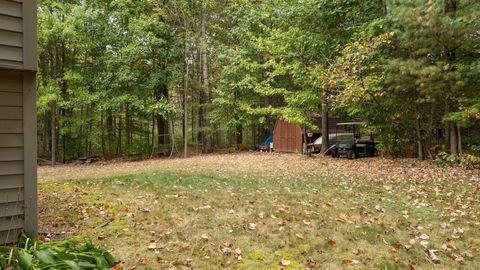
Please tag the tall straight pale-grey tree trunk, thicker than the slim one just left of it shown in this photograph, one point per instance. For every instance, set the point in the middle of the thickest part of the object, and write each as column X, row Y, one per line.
column 207, row 136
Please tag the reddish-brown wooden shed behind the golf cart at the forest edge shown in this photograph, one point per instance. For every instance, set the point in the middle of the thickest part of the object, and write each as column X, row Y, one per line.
column 288, row 137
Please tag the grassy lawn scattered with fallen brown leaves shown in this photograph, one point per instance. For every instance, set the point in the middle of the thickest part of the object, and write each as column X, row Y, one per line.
column 268, row 211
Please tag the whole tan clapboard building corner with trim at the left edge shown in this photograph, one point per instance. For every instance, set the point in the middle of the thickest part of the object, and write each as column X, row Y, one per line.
column 18, row 64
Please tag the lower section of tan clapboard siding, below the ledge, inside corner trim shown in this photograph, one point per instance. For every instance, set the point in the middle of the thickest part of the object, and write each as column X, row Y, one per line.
column 11, row 156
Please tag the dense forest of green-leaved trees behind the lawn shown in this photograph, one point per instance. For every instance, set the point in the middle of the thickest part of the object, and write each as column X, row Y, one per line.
column 132, row 78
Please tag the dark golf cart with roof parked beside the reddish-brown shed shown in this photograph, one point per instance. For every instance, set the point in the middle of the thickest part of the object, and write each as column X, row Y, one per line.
column 355, row 145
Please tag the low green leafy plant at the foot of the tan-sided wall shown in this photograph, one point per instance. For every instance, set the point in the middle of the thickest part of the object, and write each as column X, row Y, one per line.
column 75, row 253
